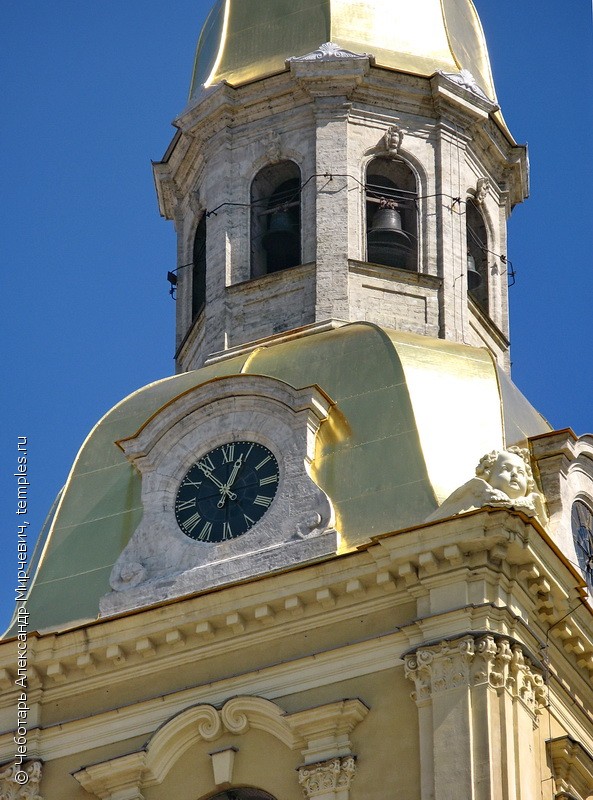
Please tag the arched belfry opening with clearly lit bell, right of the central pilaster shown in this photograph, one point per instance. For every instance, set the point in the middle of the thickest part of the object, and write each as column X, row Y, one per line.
column 392, row 220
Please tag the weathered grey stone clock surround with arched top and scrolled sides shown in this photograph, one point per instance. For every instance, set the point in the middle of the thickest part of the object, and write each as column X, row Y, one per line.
column 161, row 560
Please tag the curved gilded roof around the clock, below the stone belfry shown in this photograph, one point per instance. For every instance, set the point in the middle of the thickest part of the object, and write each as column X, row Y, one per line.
column 419, row 413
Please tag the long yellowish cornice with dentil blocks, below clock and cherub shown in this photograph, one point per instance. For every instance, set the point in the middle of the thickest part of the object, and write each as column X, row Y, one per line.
column 392, row 570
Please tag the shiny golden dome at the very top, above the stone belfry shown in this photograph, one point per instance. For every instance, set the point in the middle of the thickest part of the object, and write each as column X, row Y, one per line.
column 244, row 40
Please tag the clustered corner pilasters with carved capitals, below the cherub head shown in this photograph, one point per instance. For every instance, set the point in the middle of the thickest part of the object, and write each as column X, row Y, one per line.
column 477, row 700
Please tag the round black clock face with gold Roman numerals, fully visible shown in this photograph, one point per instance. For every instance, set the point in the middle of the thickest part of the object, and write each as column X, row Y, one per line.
column 226, row 492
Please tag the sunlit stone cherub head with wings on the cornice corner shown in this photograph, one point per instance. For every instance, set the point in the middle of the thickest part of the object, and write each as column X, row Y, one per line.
column 503, row 479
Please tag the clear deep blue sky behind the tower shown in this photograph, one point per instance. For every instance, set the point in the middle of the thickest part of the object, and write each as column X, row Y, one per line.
column 89, row 92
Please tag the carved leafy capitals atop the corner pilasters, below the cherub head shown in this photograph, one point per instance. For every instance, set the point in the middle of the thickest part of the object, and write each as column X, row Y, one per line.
column 472, row 661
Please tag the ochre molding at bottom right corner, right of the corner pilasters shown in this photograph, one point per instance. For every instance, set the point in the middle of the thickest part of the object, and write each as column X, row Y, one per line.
column 572, row 768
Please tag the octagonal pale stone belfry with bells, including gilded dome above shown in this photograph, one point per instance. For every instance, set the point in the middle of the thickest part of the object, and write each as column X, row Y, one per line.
column 339, row 175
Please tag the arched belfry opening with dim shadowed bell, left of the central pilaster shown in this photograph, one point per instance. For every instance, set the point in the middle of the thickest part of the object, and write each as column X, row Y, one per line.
column 275, row 218
